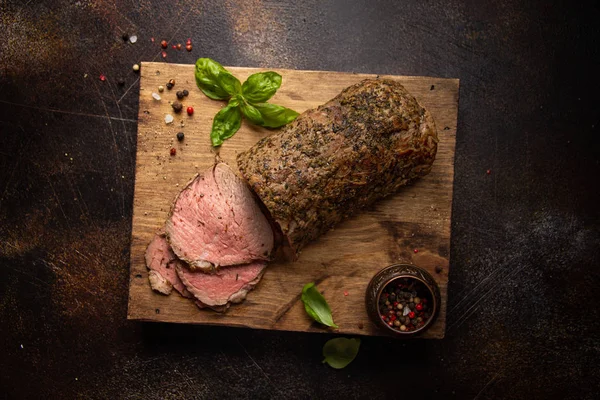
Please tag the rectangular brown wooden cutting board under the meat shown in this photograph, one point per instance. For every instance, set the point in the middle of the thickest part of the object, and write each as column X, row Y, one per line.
column 412, row 226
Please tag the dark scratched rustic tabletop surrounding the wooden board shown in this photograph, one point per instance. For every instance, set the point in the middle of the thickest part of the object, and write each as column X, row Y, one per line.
column 523, row 317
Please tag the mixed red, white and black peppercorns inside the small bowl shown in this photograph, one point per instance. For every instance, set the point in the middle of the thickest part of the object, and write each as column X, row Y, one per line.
column 411, row 297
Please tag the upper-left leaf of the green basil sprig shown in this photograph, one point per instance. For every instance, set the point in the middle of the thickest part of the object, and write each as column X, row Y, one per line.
column 214, row 80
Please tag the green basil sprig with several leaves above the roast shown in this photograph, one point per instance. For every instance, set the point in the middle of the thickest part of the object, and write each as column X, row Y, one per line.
column 248, row 99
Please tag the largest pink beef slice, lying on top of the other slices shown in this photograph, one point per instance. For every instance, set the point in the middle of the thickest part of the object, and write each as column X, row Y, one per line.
column 216, row 221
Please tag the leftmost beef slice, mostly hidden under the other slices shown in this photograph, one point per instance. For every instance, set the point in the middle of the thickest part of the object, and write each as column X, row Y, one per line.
column 161, row 262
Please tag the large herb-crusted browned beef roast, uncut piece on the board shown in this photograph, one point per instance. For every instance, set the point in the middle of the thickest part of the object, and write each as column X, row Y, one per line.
column 332, row 161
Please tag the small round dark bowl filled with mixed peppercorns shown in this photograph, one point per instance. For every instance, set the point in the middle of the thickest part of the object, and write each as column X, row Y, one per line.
column 398, row 292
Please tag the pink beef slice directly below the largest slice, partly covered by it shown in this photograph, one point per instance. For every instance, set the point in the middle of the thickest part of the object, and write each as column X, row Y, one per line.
column 226, row 285
